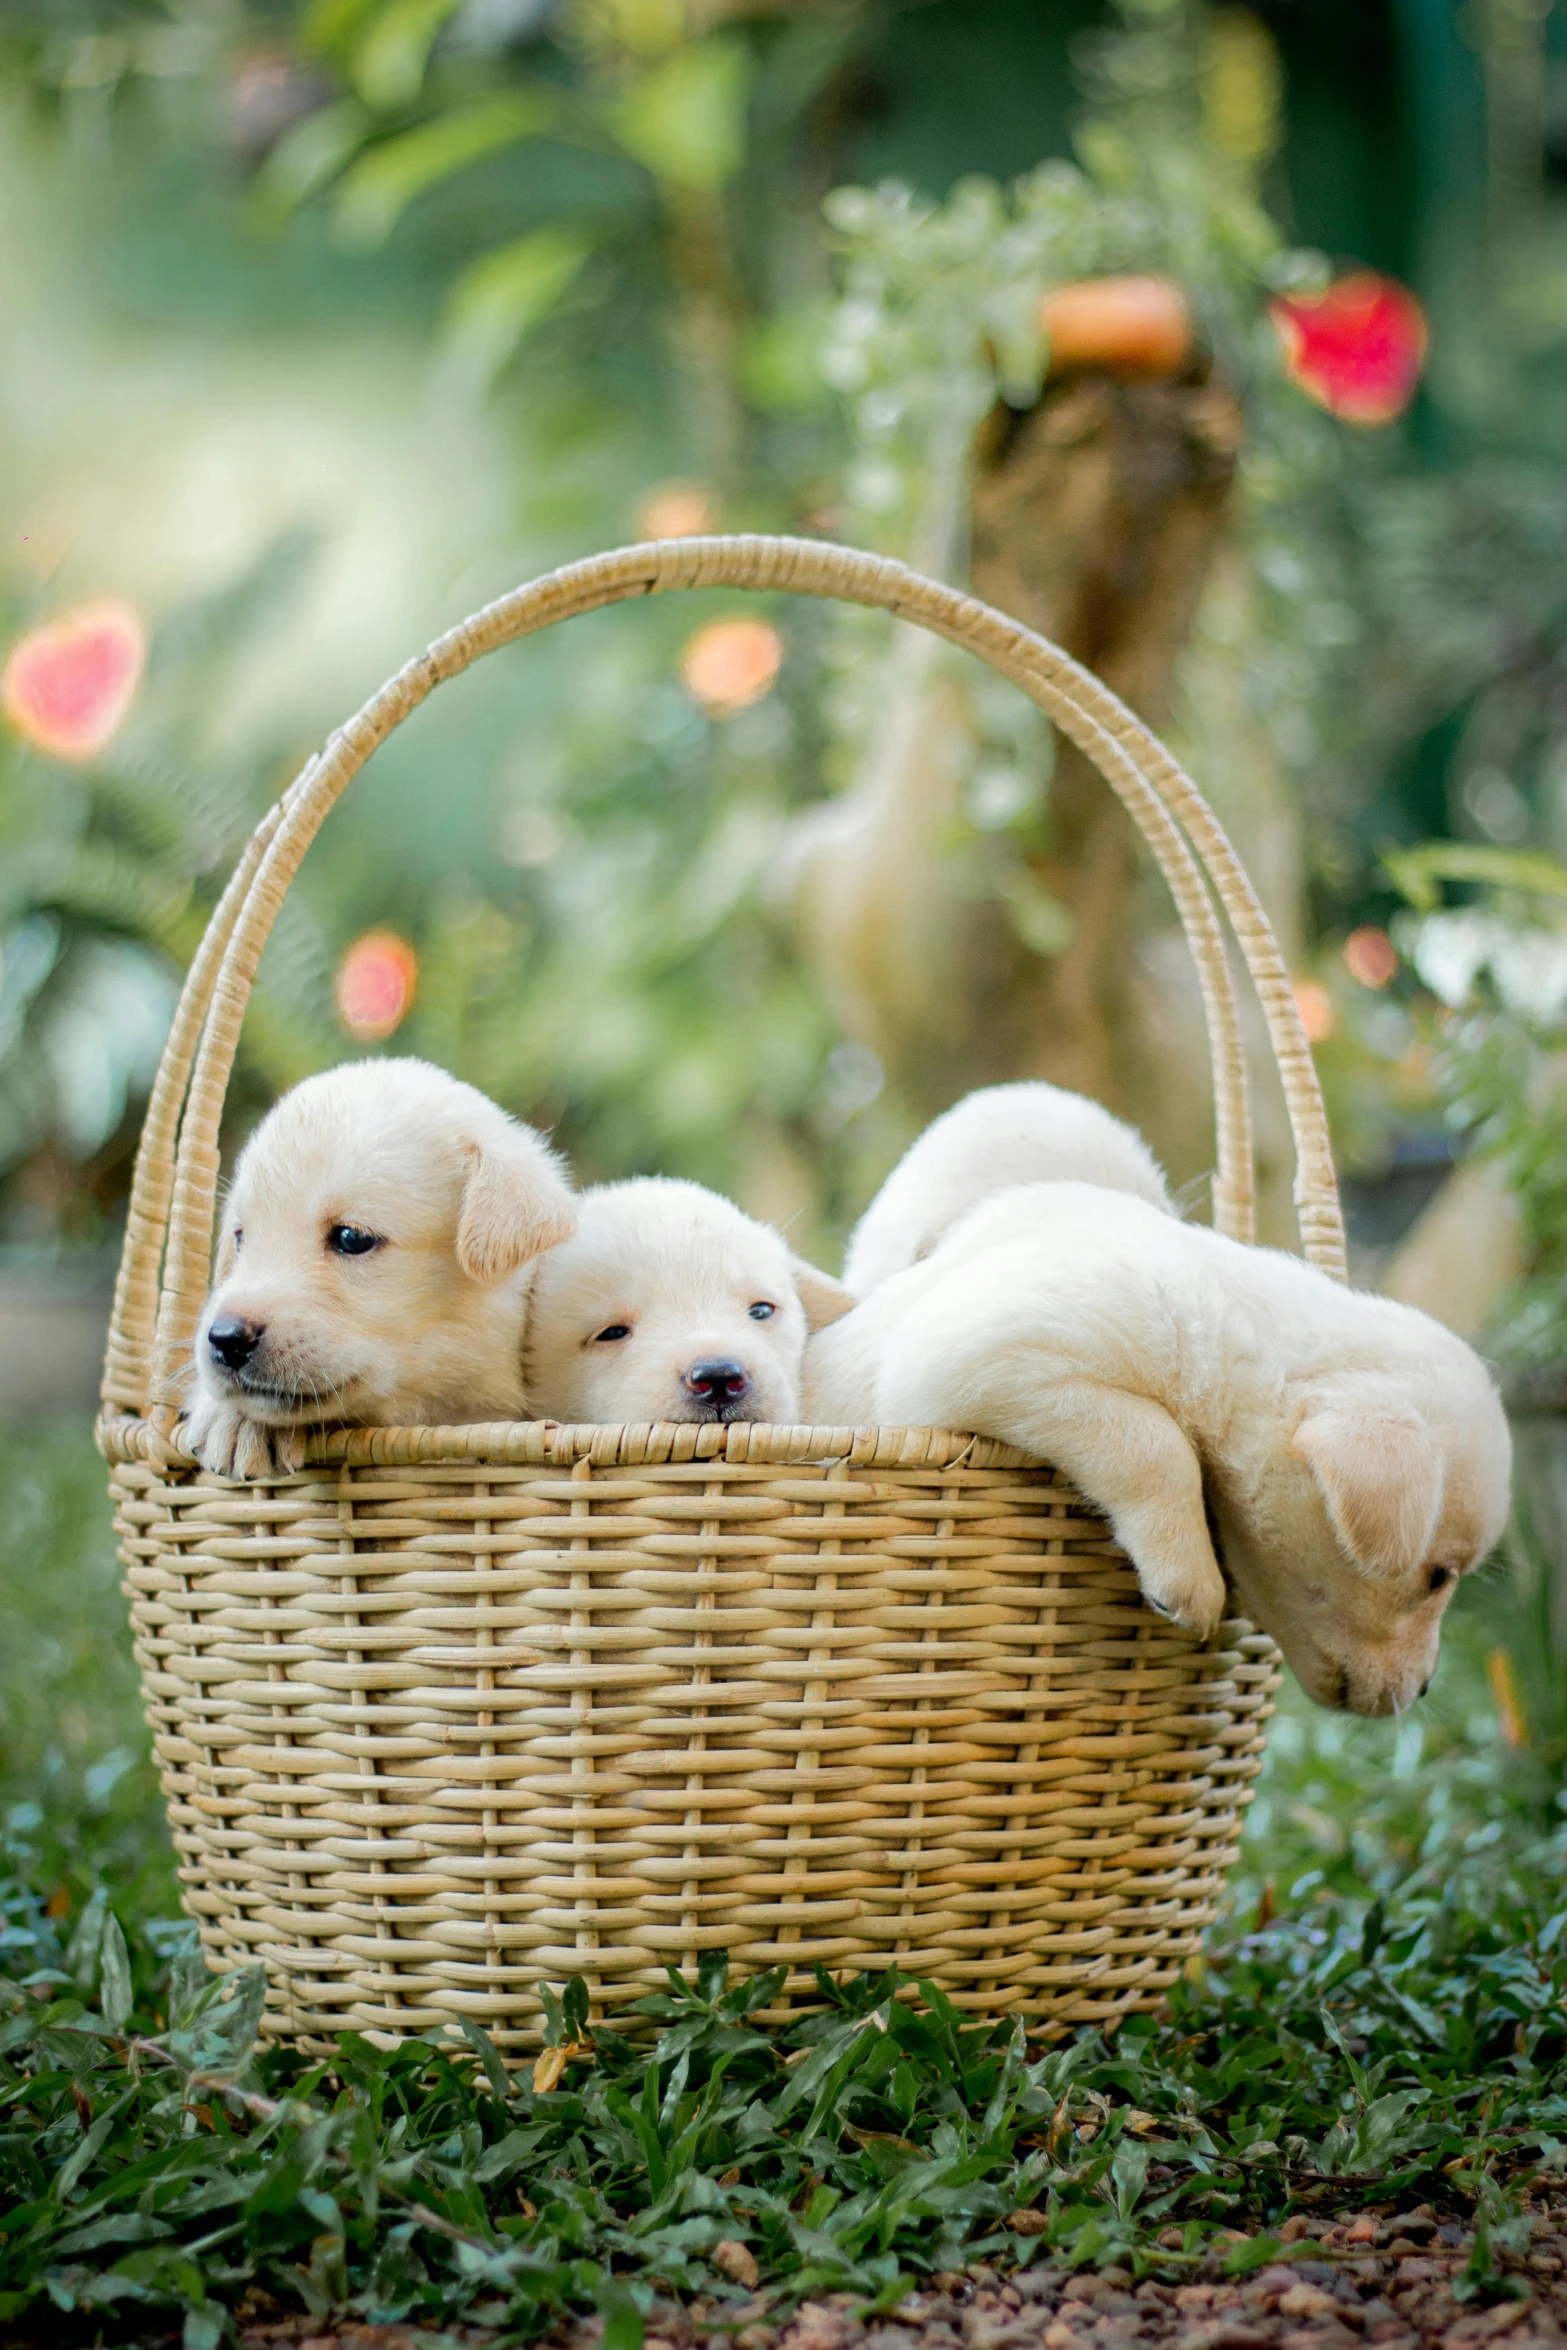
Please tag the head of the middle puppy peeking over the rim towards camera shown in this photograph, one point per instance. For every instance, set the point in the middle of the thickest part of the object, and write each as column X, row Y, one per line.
column 668, row 1303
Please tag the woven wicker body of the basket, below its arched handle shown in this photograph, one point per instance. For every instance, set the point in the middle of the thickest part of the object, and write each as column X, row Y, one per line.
column 436, row 1735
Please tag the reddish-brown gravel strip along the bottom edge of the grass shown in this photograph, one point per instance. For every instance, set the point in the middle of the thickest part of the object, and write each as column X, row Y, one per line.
column 1366, row 2278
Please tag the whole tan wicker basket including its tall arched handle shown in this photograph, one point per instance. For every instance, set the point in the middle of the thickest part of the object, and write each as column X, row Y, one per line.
column 462, row 1712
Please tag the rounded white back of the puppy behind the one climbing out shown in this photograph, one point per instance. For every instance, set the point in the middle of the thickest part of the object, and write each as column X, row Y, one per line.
column 988, row 1143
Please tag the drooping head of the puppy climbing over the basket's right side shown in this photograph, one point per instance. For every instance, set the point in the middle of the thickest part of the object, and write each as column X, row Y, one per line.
column 1392, row 1489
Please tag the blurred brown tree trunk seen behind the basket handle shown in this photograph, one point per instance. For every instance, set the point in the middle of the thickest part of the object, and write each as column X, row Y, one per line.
column 1096, row 521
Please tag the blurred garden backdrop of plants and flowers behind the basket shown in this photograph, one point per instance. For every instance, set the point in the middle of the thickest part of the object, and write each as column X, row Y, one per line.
column 1223, row 342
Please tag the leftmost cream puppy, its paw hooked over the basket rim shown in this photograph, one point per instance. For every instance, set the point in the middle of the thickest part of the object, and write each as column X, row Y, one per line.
column 372, row 1265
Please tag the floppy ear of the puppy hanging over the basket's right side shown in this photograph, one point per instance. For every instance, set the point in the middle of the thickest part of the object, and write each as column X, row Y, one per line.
column 1380, row 1472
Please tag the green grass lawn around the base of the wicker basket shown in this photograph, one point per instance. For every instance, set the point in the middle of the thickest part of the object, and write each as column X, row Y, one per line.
column 1383, row 2015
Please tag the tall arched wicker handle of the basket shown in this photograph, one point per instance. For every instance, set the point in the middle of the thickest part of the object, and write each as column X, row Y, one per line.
column 175, row 1188
